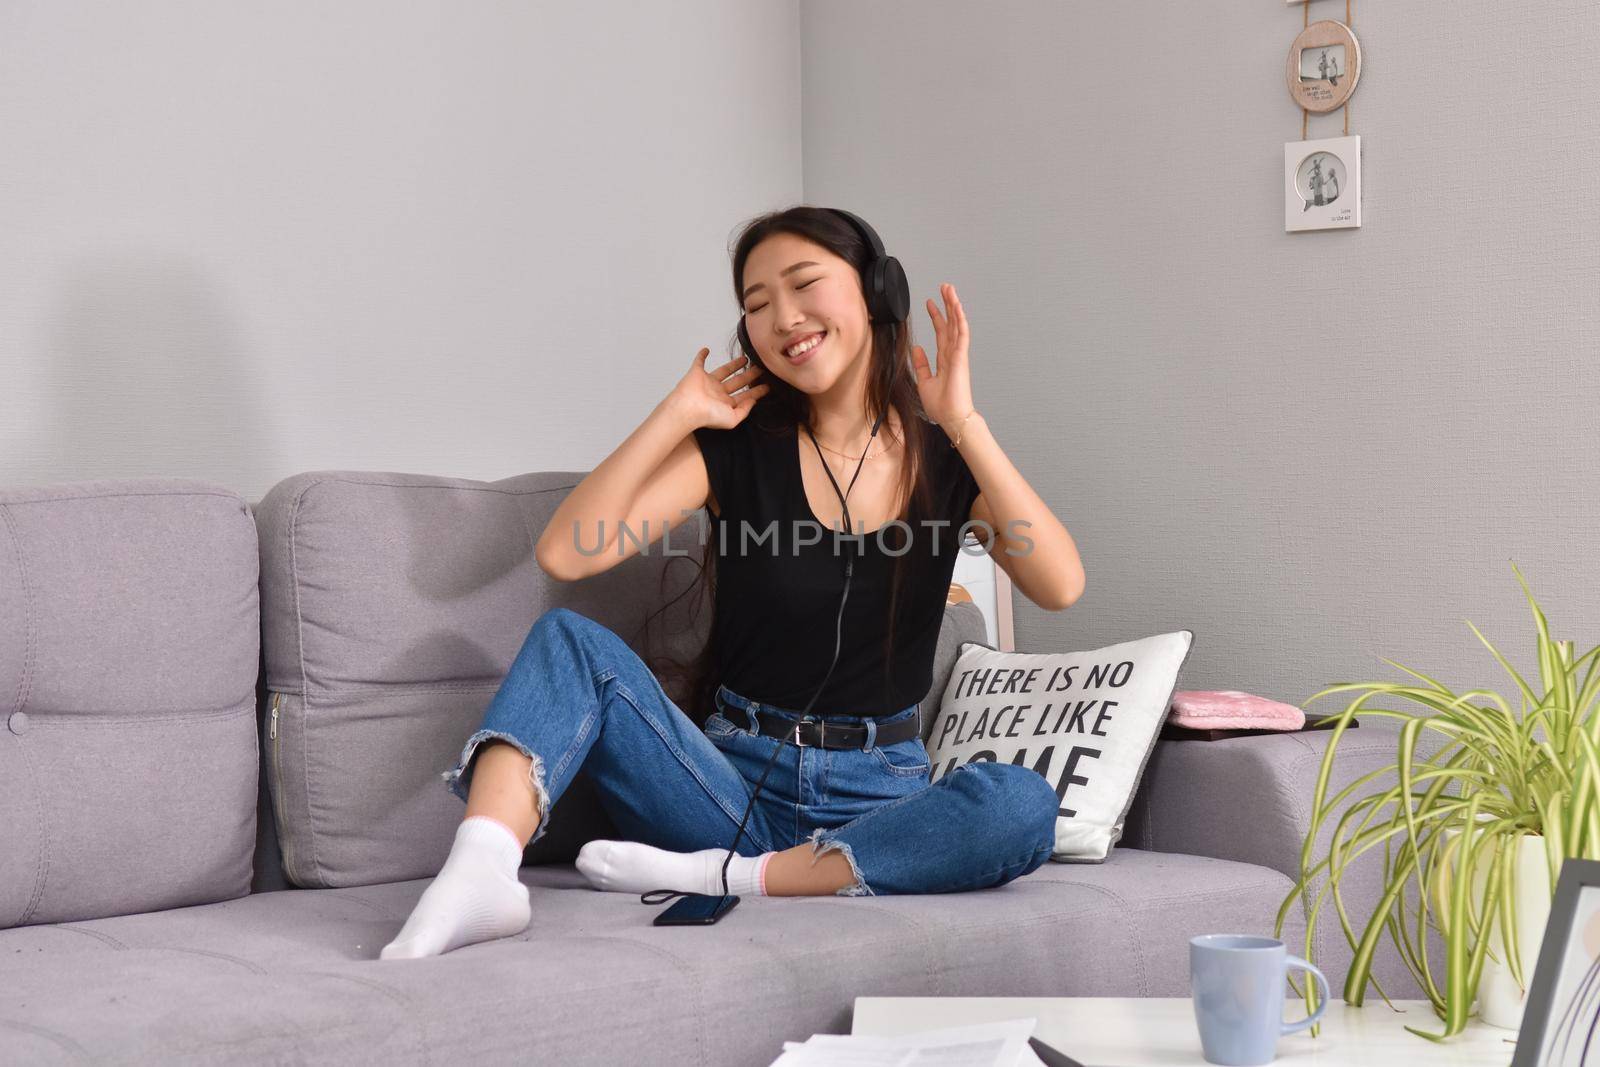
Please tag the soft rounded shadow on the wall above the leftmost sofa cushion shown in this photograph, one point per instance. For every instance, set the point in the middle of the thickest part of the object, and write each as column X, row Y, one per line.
column 145, row 374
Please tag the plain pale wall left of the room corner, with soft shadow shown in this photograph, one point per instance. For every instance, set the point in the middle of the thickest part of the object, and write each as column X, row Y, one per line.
column 244, row 241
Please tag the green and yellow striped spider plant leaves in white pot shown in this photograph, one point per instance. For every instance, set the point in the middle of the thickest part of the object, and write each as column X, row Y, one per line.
column 1498, row 772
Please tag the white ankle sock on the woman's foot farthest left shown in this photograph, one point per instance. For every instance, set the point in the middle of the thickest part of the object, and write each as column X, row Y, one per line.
column 474, row 898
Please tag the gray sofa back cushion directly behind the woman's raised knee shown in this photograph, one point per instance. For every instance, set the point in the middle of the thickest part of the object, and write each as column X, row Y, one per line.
column 393, row 609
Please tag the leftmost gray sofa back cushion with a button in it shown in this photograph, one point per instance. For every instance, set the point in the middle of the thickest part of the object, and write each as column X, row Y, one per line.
column 129, row 658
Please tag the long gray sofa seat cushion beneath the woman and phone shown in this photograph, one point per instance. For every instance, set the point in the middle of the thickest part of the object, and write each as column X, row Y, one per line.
column 294, row 977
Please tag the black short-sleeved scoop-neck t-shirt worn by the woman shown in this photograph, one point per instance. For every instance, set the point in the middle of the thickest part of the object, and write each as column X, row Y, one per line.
column 780, row 577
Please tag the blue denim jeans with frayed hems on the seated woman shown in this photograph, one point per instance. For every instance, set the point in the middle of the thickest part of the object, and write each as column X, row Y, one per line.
column 578, row 697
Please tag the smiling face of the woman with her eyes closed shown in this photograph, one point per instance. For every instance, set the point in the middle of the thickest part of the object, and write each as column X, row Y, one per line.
column 794, row 289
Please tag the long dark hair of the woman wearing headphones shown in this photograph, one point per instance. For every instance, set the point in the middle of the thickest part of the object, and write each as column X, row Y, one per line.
column 785, row 409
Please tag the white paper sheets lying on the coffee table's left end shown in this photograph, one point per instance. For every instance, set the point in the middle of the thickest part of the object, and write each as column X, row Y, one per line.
column 983, row 1045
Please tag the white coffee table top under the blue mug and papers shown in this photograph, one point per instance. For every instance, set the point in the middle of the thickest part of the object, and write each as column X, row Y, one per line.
column 1161, row 1031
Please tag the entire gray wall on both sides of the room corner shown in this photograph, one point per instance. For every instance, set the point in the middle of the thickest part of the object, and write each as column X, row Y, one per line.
column 249, row 241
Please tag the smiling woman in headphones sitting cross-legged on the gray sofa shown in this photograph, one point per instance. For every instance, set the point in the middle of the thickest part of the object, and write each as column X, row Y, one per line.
column 764, row 447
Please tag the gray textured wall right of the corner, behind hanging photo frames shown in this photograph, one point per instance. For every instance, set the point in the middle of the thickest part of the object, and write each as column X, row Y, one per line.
column 1314, row 450
